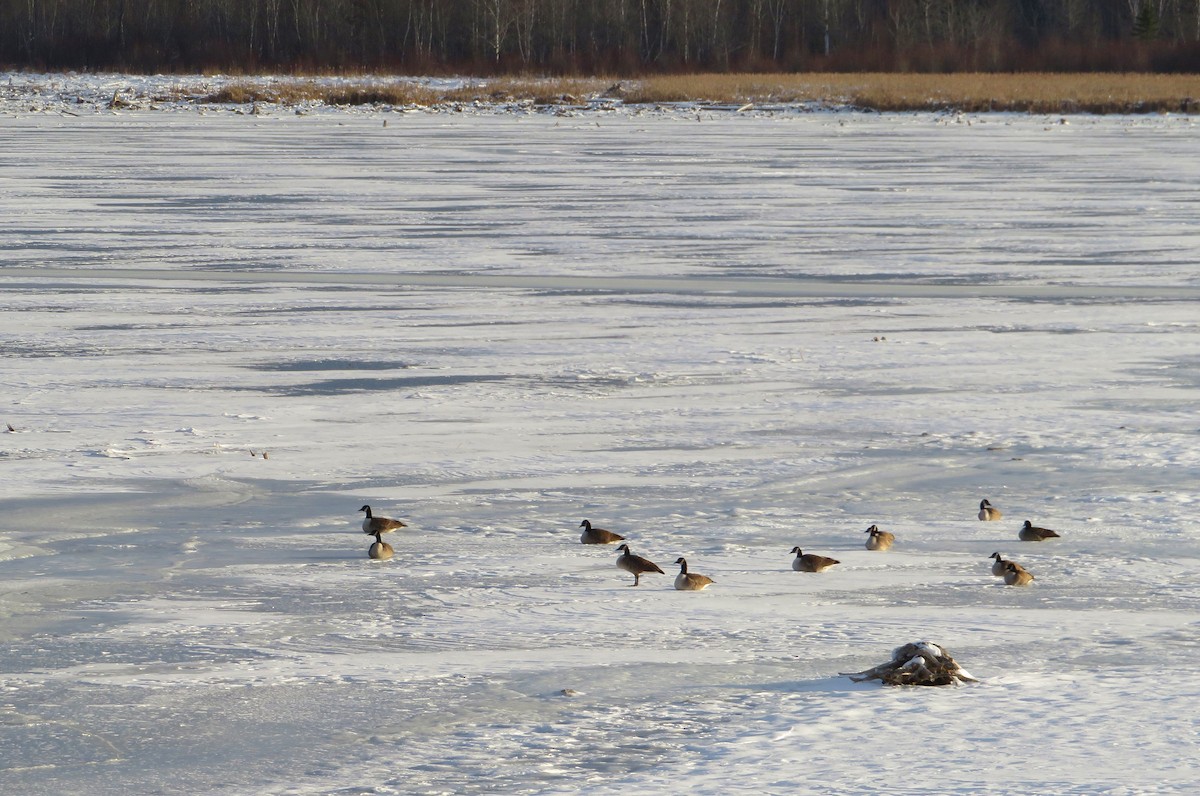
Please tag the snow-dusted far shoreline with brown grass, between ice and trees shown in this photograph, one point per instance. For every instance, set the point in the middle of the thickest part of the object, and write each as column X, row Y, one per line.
column 1069, row 94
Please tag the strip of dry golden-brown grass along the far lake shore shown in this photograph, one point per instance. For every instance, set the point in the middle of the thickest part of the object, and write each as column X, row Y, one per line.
column 1034, row 93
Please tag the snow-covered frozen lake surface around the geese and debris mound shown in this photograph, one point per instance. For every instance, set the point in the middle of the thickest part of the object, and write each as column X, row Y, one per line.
column 719, row 336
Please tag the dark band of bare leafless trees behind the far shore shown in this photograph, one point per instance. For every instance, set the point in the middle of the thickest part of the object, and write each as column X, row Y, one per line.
column 602, row 37
